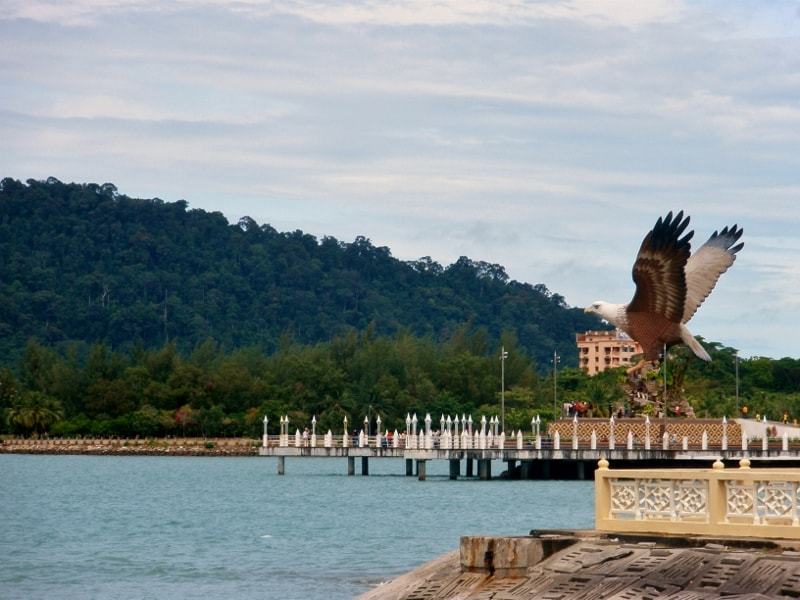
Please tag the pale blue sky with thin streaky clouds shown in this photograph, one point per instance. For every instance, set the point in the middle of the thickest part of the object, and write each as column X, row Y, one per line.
column 545, row 136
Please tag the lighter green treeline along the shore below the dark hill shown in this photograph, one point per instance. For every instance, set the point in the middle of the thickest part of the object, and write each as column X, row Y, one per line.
column 81, row 389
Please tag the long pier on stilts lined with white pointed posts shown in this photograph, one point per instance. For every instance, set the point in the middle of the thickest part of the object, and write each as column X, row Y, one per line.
column 570, row 449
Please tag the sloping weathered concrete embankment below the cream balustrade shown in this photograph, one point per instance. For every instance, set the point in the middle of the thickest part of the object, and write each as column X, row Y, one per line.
column 560, row 565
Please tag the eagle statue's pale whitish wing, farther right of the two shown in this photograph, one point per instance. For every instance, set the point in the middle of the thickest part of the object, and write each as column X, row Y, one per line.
column 705, row 266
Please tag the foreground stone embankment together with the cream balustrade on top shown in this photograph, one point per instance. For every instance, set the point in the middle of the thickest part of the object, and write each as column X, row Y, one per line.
column 676, row 534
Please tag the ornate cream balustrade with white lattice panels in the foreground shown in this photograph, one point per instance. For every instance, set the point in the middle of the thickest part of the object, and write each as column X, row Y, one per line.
column 743, row 502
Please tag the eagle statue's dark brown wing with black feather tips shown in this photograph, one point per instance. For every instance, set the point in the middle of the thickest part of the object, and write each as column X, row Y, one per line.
column 659, row 275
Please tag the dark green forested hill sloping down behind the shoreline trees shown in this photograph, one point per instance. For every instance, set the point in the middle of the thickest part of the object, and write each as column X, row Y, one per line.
column 81, row 262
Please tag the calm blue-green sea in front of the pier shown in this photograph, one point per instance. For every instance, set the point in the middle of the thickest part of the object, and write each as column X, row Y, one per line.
column 168, row 527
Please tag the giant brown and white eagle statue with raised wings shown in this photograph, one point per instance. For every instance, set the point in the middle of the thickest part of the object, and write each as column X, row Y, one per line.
column 671, row 284
